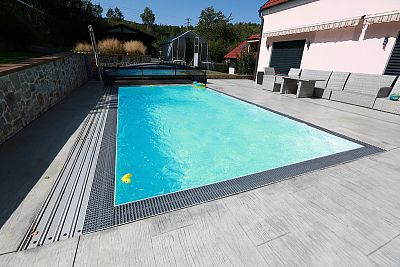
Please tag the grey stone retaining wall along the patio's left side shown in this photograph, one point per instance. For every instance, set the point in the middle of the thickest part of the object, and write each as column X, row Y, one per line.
column 26, row 94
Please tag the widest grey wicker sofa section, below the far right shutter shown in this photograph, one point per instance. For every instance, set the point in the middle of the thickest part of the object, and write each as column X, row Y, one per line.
column 363, row 89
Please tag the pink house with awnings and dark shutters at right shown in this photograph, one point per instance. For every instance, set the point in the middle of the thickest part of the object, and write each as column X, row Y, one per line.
column 340, row 35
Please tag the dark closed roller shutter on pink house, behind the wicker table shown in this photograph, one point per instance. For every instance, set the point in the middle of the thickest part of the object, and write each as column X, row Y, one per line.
column 286, row 55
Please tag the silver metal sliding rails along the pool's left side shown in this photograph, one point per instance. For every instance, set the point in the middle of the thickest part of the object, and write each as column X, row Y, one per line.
column 63, row 213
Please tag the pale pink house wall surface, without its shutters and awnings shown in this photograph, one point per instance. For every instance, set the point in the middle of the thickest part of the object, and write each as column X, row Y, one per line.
column 353, row 49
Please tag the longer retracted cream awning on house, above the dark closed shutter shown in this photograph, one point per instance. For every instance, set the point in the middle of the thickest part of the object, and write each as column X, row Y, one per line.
column 350, row 22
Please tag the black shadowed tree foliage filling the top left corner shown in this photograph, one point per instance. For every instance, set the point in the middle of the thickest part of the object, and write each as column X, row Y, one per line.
column 52, row 27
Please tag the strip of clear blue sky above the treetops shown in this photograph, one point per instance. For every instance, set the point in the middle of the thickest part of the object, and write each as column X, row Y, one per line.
column 174, row 12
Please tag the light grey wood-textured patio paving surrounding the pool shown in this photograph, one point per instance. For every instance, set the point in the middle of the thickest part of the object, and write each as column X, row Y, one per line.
column 346, row 215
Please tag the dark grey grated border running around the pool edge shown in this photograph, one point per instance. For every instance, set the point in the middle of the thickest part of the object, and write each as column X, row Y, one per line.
column 102, row 213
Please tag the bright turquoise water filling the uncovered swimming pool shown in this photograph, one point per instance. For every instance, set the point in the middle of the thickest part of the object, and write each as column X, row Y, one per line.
column 172, row 138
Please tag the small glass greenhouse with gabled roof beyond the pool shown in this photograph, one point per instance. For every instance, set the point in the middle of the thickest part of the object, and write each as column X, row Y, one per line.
column 187, row 47
